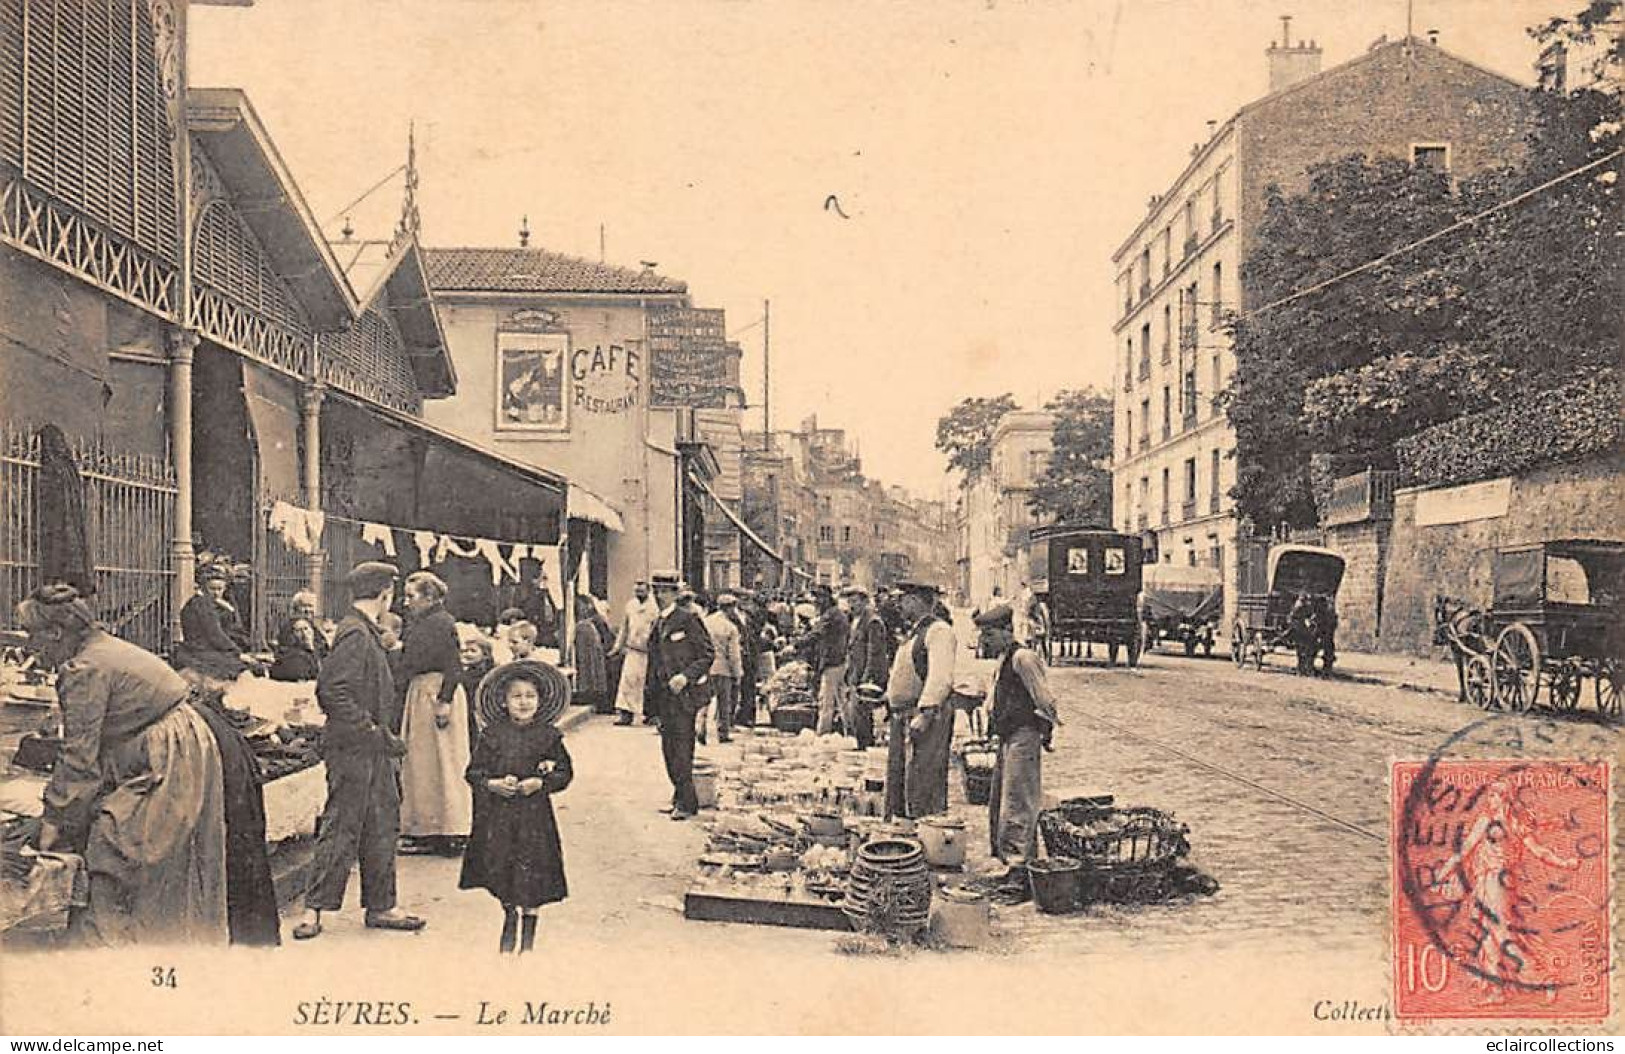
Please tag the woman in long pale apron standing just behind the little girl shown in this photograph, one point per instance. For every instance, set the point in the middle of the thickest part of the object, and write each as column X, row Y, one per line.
column 436, row 805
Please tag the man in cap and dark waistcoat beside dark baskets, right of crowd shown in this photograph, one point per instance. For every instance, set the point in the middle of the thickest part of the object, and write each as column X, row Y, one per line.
column 1023, row 717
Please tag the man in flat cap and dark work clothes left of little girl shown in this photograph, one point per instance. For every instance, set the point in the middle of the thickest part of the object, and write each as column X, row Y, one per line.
column 362, row 819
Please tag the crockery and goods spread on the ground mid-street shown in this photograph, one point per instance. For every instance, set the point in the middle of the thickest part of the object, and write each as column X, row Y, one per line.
column 792, row 816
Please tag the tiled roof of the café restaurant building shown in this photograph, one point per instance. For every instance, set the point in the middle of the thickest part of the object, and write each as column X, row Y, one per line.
column 535, row 270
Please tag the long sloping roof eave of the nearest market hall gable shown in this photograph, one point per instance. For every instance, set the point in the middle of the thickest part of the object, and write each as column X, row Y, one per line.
column 269, row 201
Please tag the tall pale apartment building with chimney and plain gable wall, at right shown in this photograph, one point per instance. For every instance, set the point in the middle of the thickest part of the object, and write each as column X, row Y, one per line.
column 1179, row 272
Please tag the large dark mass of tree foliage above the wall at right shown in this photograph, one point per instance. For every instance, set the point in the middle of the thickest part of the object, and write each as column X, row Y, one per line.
column 1519, row 301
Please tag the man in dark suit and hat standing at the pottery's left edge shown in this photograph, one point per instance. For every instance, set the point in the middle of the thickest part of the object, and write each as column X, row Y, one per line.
column 680, row 660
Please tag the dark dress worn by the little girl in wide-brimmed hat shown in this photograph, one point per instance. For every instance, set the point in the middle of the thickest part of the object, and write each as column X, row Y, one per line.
column 514, row 852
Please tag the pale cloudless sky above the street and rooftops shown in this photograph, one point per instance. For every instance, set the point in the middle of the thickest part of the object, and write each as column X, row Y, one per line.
column 989, row 158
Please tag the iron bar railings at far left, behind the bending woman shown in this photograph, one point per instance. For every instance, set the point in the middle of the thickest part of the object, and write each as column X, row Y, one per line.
column 129, row 504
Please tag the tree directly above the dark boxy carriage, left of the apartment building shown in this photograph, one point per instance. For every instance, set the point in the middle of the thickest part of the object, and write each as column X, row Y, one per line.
column 1075, row 486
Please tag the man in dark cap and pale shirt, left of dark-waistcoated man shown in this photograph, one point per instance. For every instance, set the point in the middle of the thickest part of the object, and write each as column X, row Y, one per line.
column 917, row 693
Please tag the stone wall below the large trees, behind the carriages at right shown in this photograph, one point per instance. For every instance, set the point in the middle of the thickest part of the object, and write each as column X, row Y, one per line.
column 1457, row 559
